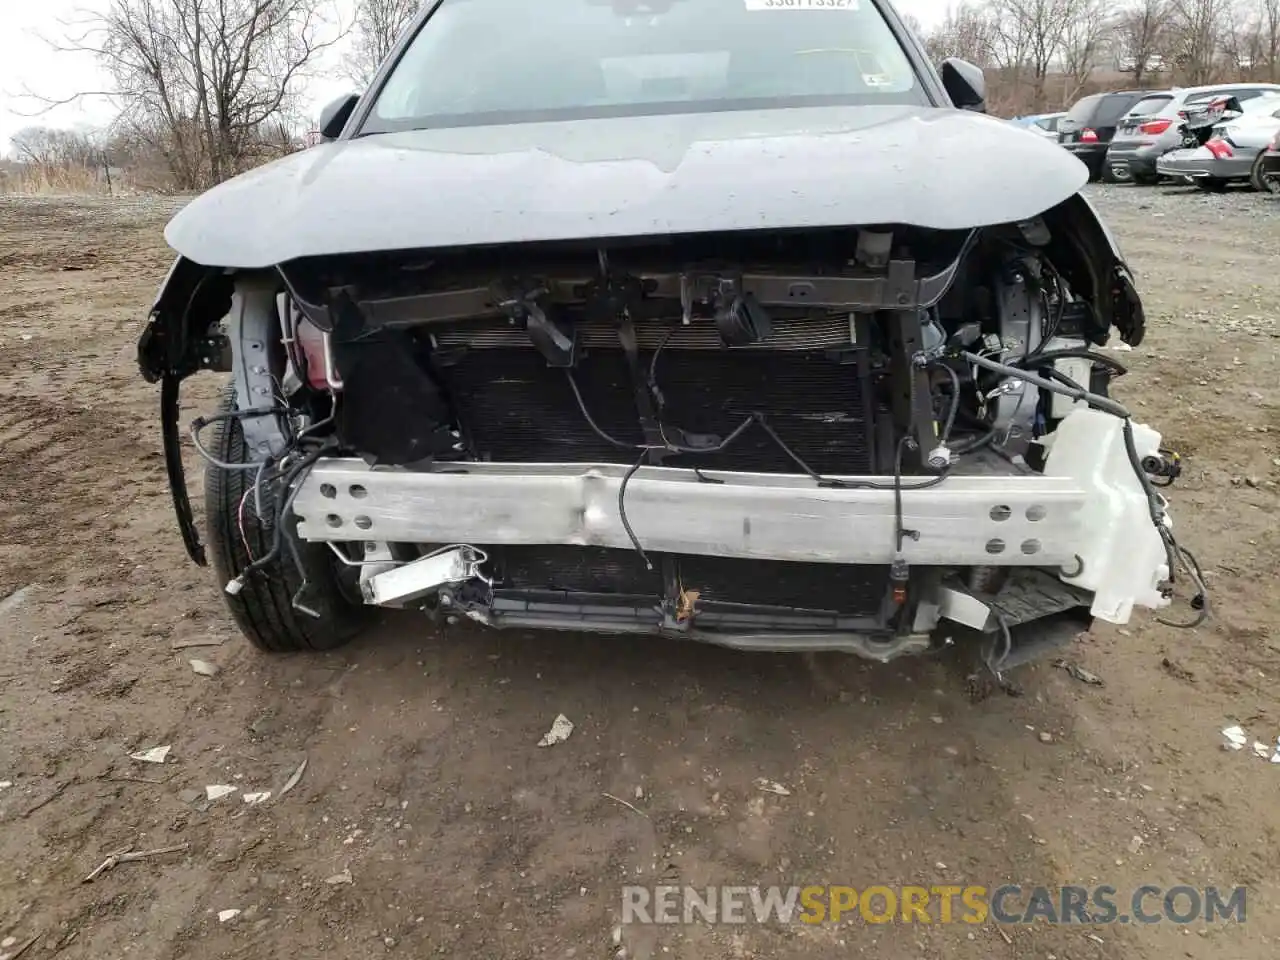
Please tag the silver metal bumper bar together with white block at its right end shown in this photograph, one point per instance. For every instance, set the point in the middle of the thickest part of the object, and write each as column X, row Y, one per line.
column 1087, row 516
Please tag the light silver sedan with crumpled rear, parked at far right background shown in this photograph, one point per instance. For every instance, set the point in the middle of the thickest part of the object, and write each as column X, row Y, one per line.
column 1235, row 150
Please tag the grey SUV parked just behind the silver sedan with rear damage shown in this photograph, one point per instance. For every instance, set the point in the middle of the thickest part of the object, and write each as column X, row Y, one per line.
column 1153, row 127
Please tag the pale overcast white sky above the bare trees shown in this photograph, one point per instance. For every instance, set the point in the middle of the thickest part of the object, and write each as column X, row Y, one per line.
column 29, row 63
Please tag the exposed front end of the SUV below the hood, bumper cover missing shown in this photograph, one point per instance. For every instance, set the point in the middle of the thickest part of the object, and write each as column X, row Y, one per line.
column 884, row 365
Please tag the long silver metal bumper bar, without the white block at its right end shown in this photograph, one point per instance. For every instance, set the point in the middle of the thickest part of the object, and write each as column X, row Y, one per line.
column 964, row 522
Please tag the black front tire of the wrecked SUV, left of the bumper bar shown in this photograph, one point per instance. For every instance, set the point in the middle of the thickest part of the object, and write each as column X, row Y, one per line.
column 264, row 609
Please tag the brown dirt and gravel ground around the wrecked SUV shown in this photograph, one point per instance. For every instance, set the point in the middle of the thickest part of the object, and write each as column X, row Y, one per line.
column 423, row 778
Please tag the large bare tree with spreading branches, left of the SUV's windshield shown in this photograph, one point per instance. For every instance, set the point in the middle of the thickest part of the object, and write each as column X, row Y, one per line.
column 199, row 80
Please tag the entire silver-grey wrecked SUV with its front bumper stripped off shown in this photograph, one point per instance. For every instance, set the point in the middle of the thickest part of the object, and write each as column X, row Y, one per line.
column 729, row 321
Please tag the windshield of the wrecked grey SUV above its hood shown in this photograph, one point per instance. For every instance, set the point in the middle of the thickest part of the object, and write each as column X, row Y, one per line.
column 478, row 62
